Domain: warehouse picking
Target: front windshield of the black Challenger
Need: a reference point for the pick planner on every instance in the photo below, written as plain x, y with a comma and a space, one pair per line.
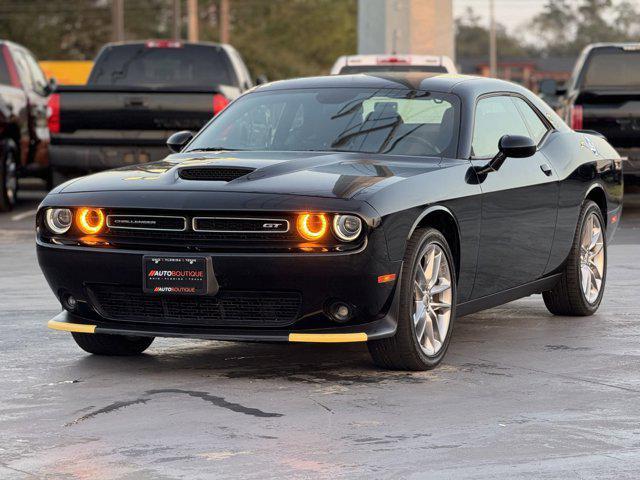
401, 122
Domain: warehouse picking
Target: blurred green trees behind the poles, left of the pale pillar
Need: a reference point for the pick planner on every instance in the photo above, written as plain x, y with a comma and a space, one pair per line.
280, 38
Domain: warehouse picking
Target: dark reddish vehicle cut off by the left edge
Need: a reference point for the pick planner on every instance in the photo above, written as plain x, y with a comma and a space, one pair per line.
24, 137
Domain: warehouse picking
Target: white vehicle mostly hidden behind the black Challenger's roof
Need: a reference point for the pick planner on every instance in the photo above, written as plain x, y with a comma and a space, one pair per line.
393, 63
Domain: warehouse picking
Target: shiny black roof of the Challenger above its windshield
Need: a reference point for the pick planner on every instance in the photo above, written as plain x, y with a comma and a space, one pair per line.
434, 82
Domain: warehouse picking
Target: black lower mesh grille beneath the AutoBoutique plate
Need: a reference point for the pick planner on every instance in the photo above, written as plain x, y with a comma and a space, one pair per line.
227, 309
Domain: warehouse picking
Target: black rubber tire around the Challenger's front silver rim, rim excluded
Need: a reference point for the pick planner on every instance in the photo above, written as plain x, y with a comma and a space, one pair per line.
402, 351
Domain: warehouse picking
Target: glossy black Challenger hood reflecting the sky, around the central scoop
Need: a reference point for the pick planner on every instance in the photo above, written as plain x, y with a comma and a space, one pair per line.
334, 175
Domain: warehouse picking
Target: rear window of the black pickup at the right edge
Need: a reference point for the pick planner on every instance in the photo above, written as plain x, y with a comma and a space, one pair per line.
612, 68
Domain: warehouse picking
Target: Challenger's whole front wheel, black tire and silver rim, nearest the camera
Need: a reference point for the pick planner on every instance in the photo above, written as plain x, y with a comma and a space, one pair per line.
427, 306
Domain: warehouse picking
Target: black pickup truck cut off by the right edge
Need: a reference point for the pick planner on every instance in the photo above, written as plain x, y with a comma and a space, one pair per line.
603, 95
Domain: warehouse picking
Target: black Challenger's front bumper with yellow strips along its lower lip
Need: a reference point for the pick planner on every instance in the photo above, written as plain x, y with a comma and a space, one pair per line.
319, 279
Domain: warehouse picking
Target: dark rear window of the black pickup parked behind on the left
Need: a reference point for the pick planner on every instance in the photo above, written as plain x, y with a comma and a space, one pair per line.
182, 66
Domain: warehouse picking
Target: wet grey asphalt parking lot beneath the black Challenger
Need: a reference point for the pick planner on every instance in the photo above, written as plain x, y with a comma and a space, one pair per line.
521, 394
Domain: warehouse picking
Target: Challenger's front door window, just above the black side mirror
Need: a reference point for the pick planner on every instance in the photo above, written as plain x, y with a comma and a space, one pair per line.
495, 117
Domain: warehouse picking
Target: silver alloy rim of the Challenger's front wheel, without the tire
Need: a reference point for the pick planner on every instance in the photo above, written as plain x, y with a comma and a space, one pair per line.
432, 300
